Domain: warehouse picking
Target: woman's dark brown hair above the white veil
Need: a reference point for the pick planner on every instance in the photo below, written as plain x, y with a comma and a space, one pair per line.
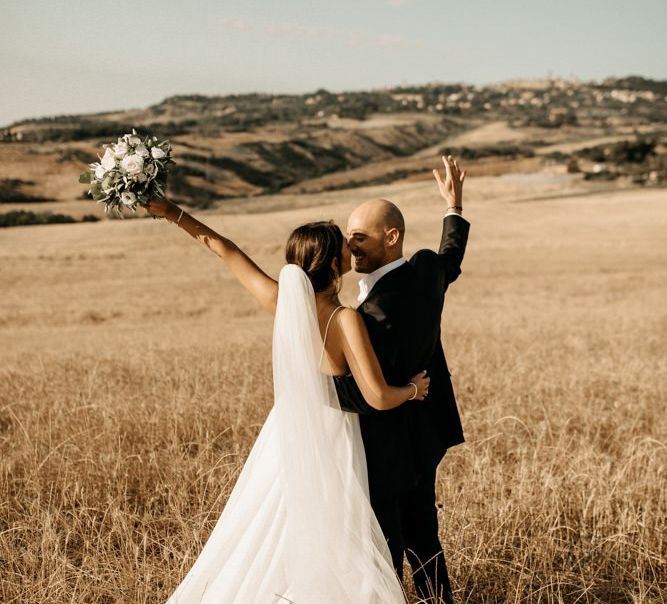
314, 247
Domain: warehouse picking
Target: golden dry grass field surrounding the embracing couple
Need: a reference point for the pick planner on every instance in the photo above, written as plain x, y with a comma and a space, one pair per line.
135, 374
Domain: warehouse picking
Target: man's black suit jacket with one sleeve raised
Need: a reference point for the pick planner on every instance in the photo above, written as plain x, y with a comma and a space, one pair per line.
402, 314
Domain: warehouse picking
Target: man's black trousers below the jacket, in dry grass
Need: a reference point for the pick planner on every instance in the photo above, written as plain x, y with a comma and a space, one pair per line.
409, 522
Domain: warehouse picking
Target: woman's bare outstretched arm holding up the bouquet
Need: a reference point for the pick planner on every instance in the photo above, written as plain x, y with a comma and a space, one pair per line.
253, 278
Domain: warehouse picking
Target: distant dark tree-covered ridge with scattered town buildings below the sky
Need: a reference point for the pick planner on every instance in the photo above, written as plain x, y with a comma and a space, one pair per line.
542, 103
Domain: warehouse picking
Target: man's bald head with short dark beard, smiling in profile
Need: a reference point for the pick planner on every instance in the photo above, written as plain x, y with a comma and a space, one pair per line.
375, 232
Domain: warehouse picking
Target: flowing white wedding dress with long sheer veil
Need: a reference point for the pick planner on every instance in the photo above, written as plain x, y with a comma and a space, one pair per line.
298, 526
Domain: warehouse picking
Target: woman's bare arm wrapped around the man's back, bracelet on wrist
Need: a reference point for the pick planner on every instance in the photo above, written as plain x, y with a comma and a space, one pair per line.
366, 370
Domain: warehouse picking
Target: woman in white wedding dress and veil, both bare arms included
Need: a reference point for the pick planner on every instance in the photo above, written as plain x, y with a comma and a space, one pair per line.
298, 526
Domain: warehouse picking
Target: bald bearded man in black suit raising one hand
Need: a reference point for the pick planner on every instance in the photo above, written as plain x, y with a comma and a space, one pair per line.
401, 303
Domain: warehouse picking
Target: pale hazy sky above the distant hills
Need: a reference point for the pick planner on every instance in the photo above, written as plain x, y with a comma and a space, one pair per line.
76, 56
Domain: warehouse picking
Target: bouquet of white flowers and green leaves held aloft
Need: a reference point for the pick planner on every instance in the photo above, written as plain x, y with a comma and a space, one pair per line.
131, 171
